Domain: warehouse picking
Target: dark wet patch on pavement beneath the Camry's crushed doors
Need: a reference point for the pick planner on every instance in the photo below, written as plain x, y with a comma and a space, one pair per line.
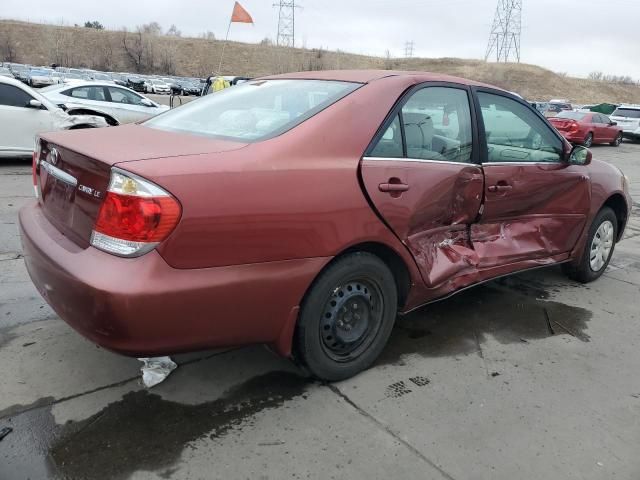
511, 310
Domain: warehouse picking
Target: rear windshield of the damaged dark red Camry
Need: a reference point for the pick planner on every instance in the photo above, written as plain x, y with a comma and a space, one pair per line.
255, 110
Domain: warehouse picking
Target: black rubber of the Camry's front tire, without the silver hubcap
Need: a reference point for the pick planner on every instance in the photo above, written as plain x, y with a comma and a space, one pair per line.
584, 272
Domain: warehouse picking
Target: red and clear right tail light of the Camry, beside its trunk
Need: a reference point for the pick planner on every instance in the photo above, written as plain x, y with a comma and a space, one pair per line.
135, 216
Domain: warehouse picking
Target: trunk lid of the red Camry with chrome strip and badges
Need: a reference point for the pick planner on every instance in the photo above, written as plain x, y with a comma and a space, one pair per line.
74, 169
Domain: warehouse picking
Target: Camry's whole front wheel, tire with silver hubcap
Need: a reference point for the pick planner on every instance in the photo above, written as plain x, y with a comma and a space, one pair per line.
601, 242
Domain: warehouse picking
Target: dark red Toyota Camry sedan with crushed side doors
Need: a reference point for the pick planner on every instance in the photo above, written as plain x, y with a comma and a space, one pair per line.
305, 211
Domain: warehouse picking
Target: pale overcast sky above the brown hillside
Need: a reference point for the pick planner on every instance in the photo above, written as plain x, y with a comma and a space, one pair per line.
574, 36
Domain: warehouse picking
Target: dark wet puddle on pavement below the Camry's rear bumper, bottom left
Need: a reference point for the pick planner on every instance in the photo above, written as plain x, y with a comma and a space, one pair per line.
142, 431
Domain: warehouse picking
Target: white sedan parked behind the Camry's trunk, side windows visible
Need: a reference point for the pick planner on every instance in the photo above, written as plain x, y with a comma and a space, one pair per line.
116, 104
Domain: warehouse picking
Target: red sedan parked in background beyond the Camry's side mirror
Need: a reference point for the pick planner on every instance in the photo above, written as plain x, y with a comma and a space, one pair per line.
587, 128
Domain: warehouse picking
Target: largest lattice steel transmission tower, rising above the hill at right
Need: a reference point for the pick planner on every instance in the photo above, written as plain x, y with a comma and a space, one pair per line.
504, 40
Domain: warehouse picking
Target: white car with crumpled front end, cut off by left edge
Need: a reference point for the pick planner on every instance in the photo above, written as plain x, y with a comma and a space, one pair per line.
24, 113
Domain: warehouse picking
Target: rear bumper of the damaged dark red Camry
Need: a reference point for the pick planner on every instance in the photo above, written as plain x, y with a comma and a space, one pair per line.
144, 307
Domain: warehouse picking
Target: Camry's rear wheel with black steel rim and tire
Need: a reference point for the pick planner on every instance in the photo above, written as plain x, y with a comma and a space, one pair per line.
346, 317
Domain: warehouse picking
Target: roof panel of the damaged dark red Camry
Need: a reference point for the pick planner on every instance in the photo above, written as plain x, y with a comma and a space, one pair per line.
367, 76
